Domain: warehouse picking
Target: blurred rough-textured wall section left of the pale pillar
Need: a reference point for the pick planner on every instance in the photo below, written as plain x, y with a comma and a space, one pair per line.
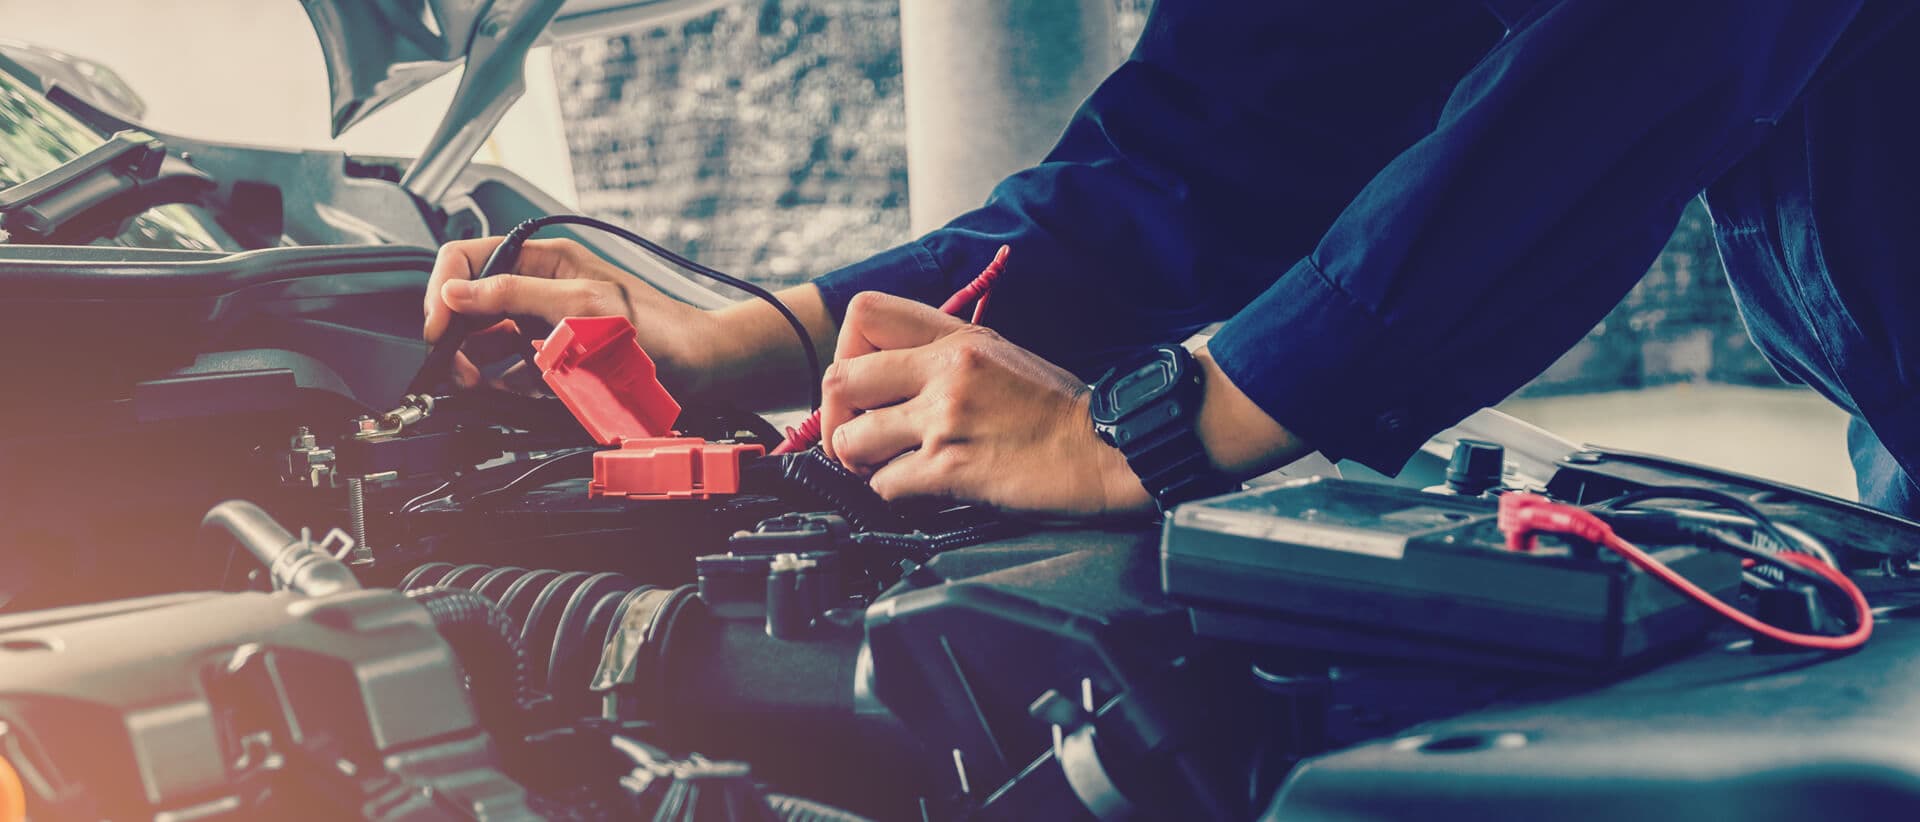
765, 141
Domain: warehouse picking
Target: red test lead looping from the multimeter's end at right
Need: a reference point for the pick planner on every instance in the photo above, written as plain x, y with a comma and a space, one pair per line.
1525, 516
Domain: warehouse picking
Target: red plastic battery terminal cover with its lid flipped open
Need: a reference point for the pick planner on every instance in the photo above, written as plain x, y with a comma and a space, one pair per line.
612, 387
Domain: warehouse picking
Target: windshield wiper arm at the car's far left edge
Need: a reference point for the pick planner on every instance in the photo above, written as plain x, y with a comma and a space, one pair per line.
93, 195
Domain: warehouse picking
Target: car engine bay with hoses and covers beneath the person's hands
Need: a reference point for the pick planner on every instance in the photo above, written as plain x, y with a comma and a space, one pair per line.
241, 581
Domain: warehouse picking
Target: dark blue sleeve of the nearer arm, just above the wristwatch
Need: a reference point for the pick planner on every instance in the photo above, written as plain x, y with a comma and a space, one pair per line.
1495, 243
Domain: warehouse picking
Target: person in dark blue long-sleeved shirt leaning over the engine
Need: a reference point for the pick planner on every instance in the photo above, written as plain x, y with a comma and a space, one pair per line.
1401, 210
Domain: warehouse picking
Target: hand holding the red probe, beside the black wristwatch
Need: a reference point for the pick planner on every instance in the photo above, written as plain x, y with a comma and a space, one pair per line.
930, 406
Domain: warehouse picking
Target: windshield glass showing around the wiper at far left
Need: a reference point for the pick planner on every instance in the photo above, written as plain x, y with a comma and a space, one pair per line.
36, 137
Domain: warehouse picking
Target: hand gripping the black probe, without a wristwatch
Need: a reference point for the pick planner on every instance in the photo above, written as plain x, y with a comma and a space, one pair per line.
558, 279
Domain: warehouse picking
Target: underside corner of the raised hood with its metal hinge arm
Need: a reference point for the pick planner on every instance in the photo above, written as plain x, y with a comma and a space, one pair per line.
381, 51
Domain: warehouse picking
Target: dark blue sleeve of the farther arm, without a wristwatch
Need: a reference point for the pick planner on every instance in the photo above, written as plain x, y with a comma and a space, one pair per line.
1230, 141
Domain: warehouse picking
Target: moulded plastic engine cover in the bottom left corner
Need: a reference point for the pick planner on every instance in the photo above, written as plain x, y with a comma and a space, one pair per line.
245, 704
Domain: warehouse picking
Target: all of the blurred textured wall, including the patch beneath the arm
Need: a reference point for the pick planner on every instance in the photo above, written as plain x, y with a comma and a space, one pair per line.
769, 141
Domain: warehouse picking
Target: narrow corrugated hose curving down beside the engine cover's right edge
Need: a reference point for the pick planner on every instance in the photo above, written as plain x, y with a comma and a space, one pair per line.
489, 648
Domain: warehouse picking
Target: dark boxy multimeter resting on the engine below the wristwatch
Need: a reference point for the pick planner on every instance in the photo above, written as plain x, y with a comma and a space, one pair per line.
1385, 571
